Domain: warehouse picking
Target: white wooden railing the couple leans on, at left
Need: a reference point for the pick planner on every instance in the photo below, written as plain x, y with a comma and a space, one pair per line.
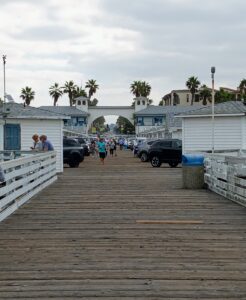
24, 178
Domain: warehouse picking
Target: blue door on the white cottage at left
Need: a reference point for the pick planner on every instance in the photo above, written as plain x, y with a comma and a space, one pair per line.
12, 137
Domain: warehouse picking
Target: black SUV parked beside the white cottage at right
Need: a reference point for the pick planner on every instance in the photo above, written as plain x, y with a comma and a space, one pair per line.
165, 151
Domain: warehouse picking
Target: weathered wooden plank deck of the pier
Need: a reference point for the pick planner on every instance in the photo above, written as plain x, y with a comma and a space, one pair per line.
123, 231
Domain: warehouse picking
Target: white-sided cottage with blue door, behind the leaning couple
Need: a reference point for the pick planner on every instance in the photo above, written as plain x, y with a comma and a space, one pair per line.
18, 124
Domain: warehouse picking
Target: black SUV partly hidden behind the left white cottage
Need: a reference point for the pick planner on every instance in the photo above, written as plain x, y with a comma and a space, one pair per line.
73, 152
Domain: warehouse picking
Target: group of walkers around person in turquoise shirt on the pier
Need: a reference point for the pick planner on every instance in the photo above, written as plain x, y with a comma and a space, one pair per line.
102, 147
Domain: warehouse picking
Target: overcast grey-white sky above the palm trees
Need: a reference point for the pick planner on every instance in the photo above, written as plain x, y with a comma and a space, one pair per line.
118, 41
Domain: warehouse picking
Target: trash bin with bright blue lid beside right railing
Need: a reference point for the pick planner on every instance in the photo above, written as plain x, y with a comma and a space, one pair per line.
193, 171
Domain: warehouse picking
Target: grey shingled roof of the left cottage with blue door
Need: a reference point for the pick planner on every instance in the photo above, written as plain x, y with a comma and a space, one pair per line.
19, 111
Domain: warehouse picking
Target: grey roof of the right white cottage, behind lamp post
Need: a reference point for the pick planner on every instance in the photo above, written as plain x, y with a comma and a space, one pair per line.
225, 108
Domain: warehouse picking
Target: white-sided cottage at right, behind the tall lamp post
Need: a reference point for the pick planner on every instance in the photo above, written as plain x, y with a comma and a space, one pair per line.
229, 128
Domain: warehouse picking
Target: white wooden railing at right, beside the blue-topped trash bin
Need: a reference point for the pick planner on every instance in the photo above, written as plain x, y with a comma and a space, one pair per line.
226, 175
